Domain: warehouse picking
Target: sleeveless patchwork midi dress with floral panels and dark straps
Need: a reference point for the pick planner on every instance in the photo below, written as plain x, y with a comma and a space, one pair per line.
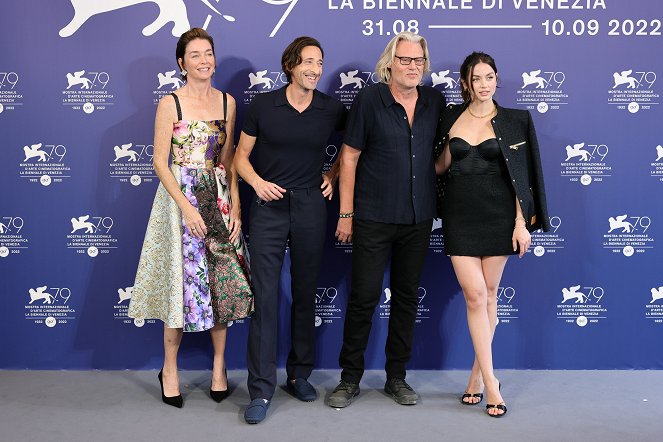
188, 282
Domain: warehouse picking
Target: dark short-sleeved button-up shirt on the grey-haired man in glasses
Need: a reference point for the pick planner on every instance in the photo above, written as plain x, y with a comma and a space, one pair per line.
395, 178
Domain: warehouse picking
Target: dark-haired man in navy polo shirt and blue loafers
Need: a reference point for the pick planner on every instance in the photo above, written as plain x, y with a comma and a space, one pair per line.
287, 129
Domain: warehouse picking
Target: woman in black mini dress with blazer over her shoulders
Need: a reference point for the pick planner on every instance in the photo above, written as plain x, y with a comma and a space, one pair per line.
493, 197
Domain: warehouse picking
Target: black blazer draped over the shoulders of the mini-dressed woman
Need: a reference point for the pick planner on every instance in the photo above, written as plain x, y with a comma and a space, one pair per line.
516, 137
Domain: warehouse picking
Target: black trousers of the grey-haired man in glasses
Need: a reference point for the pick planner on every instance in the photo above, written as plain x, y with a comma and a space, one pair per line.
372, 244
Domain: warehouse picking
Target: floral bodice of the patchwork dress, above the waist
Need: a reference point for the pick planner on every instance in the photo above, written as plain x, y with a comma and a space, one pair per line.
197, 143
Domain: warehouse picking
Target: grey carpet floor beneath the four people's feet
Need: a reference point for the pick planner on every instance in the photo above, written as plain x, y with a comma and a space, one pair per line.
125, 406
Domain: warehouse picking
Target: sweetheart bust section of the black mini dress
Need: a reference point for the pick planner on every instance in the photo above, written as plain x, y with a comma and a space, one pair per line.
483, 159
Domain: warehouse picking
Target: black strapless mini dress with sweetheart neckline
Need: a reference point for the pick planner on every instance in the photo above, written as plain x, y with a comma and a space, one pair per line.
479, 201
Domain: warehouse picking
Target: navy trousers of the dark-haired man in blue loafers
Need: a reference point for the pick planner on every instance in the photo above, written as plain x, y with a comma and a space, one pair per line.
301, 217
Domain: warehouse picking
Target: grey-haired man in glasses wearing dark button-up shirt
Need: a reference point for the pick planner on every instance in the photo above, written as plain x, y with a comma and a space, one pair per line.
387, 192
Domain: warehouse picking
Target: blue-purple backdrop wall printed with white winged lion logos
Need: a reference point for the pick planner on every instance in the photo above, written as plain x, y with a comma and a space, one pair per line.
79, 85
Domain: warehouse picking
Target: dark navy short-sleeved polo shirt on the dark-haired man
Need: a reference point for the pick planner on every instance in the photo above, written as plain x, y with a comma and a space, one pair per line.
290, 148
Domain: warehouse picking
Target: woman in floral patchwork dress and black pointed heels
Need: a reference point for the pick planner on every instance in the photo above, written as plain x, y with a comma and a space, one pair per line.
193, 272
